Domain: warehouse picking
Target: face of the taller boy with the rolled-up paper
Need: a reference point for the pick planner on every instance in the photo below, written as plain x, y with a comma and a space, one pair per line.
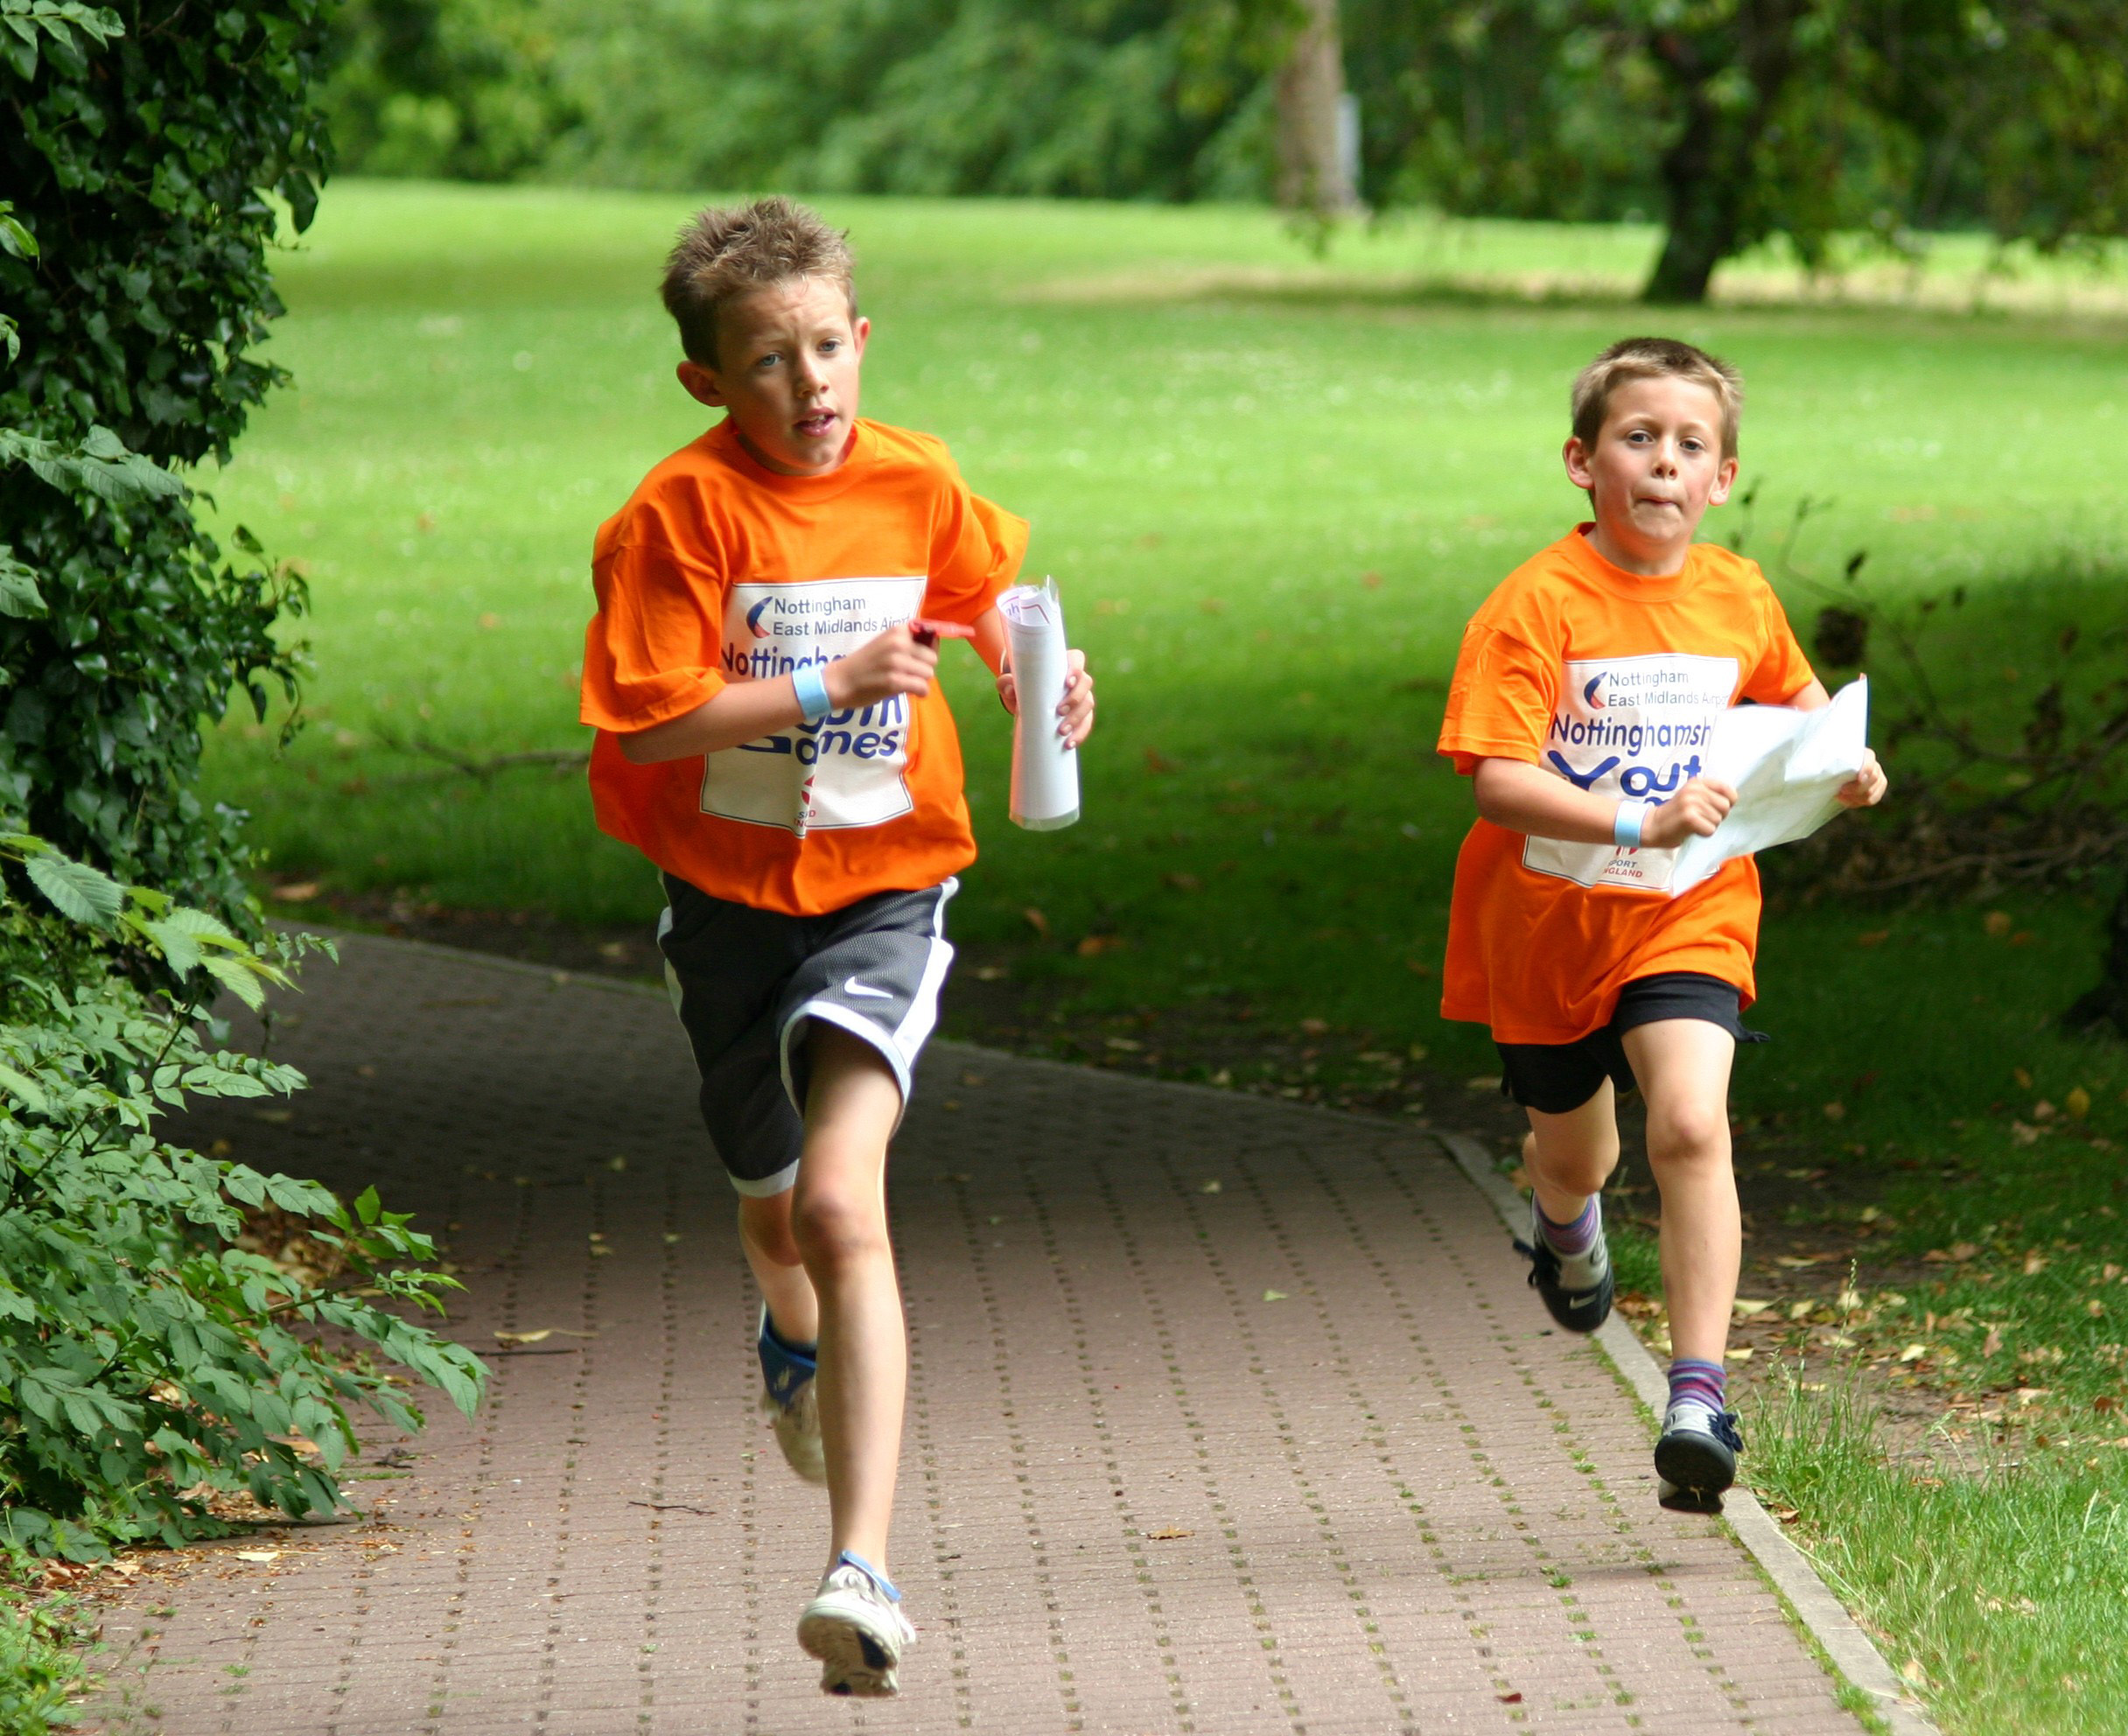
788, 373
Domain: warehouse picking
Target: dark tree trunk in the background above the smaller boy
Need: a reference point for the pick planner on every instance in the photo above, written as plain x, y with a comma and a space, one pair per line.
1708, 173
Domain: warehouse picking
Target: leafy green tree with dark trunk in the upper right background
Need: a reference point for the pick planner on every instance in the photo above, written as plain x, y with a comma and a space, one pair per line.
1746, 120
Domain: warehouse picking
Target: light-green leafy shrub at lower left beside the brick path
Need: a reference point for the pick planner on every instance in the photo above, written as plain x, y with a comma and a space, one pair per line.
146, 1358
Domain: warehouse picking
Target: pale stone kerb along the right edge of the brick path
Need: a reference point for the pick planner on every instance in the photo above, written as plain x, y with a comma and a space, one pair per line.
1821, 1614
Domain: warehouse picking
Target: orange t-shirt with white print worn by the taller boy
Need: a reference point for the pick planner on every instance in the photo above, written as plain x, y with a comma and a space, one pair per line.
720, 569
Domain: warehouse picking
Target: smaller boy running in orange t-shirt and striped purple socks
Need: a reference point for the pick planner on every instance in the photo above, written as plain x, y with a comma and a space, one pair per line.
1584, 692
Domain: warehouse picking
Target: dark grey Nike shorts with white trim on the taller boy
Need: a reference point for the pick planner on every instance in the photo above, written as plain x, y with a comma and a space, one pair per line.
748, 986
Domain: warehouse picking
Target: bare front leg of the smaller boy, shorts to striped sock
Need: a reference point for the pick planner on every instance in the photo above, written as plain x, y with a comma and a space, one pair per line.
1684, 1071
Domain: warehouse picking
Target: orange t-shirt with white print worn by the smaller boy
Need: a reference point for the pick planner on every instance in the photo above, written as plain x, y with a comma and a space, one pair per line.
1612, 682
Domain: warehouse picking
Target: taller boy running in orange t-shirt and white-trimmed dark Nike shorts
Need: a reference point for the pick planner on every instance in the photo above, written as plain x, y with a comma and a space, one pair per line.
763, 675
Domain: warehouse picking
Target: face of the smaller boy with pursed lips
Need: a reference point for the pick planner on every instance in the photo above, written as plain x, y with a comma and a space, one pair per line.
1657, 465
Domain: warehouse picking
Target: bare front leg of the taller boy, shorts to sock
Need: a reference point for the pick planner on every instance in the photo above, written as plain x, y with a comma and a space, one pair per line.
839, 1222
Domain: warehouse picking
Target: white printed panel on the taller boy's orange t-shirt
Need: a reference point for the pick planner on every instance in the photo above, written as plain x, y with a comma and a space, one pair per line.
850, 767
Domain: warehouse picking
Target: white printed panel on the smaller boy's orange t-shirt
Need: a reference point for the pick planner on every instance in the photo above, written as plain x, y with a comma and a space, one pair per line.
1629, 729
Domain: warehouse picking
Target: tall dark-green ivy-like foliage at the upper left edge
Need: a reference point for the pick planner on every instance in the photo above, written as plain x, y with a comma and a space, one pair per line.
139, 156
